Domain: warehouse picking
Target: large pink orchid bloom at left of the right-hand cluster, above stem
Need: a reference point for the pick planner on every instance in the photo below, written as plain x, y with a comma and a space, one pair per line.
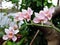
40, 17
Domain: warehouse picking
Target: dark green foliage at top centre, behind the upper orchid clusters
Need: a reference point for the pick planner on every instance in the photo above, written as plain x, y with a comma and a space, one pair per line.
36, 5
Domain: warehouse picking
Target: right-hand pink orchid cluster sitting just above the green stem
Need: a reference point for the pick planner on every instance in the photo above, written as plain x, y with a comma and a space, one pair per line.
44, 15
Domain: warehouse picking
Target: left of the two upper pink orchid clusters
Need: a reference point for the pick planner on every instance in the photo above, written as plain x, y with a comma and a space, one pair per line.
25, 14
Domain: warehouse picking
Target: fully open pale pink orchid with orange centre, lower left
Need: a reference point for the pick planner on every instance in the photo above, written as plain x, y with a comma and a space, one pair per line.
10, 34
